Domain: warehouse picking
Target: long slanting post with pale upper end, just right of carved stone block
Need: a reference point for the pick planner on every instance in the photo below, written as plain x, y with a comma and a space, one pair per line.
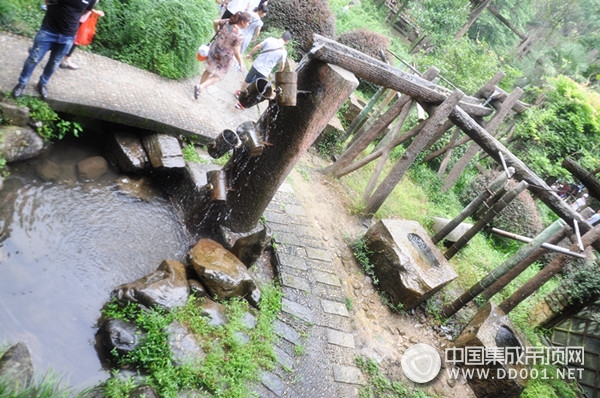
486, 281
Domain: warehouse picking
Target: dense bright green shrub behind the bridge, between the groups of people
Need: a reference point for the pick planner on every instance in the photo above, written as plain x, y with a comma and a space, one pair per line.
160, 36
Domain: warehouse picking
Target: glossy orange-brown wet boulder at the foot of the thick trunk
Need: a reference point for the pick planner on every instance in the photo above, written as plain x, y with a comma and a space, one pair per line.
223, 274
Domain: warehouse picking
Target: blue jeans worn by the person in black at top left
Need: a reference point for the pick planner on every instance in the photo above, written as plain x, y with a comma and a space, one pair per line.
44, 41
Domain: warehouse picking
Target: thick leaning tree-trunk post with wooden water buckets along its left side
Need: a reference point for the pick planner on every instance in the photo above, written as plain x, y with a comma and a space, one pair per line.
253, 181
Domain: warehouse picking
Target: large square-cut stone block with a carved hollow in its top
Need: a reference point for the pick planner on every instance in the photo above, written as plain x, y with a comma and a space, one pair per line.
408, 266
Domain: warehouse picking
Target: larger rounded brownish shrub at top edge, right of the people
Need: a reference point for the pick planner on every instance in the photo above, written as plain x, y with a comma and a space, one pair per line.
302, 19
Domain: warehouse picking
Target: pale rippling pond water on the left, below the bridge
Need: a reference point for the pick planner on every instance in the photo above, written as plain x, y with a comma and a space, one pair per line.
64, 246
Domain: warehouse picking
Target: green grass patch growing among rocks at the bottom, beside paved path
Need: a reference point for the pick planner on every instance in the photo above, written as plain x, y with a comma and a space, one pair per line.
230, 365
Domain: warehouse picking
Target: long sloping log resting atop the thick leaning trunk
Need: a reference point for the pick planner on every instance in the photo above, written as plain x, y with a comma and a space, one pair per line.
382, 74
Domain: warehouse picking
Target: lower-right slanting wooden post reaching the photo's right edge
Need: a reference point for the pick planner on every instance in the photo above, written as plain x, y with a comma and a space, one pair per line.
555, 266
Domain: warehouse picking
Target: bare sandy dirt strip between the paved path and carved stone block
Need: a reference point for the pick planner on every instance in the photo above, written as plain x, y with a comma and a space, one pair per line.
380, 334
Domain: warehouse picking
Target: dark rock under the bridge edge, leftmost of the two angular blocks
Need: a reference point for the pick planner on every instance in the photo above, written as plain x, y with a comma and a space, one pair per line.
127, 152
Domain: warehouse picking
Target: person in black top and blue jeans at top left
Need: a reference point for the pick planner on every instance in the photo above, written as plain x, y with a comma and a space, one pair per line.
57, 33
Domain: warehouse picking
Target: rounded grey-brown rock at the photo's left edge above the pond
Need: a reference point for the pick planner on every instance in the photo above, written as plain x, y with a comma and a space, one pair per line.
19, 143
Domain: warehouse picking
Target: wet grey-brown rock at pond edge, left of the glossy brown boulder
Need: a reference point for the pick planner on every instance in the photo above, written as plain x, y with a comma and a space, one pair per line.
167, 287
